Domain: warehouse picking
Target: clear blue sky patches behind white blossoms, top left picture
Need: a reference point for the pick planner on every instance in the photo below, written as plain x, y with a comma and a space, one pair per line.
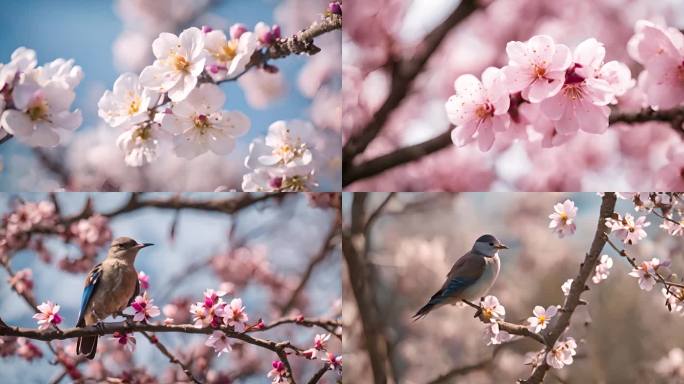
86, 30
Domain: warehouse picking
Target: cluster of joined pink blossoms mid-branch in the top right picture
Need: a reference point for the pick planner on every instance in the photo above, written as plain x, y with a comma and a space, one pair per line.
544, 83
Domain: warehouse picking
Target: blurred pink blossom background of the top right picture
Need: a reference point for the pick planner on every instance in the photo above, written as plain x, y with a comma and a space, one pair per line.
383, 38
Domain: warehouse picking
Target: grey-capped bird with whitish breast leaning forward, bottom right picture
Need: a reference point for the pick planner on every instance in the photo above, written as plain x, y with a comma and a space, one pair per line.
470, 278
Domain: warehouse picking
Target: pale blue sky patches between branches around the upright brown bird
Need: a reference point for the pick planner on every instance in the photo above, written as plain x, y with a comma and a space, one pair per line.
292, 233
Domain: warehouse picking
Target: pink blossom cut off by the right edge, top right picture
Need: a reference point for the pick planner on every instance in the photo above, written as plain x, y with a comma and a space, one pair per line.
661, 51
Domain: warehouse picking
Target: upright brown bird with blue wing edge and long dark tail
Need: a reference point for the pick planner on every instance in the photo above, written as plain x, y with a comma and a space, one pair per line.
109, 288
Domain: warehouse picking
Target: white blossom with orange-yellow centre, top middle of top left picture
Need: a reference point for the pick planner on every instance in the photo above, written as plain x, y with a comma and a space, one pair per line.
179, 61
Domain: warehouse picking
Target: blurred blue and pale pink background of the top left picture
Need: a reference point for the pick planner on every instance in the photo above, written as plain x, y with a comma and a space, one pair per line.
107, 38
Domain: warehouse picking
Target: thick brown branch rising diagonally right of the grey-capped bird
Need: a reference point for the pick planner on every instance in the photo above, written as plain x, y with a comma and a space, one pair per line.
578, 286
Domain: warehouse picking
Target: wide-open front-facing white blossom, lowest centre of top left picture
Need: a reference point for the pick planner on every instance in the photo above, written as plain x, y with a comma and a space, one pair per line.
200, 125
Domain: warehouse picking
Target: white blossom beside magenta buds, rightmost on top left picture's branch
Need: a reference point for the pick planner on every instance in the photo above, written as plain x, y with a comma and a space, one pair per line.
227, 58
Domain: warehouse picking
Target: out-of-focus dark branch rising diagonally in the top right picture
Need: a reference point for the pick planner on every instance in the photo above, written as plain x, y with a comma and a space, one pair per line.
403, 75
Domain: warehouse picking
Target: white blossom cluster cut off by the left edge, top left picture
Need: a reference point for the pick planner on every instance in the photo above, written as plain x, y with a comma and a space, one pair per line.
35, 101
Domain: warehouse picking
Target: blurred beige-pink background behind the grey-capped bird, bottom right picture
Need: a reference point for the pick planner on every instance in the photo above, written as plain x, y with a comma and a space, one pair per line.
624, 334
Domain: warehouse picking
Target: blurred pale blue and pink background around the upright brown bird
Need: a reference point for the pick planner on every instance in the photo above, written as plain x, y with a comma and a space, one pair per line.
279, 253
